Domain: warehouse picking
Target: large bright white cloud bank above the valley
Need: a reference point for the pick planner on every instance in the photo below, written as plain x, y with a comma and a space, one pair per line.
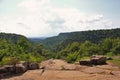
40, 18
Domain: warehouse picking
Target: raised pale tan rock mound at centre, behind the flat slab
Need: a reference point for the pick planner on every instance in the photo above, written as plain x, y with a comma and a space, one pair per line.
57, 65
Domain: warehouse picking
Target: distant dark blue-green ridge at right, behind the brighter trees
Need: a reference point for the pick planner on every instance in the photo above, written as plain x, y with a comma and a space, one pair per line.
95, 36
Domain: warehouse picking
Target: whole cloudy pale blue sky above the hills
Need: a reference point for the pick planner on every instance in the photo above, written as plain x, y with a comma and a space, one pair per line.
45, 18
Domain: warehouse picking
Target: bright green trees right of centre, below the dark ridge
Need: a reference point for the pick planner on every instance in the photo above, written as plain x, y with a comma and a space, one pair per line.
76, 51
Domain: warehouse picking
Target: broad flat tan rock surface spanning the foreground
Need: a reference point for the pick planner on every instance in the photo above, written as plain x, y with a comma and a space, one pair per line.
98, 72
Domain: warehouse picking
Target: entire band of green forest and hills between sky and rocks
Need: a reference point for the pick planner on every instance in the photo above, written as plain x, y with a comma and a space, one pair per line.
72, 46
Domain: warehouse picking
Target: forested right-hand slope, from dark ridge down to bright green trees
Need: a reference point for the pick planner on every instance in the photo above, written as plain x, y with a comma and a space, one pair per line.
74, 46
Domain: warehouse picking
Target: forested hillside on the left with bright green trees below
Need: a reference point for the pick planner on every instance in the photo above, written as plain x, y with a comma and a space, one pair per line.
13, 46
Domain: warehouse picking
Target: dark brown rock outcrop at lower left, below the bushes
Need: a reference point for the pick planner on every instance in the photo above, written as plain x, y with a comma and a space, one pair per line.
17, 69
